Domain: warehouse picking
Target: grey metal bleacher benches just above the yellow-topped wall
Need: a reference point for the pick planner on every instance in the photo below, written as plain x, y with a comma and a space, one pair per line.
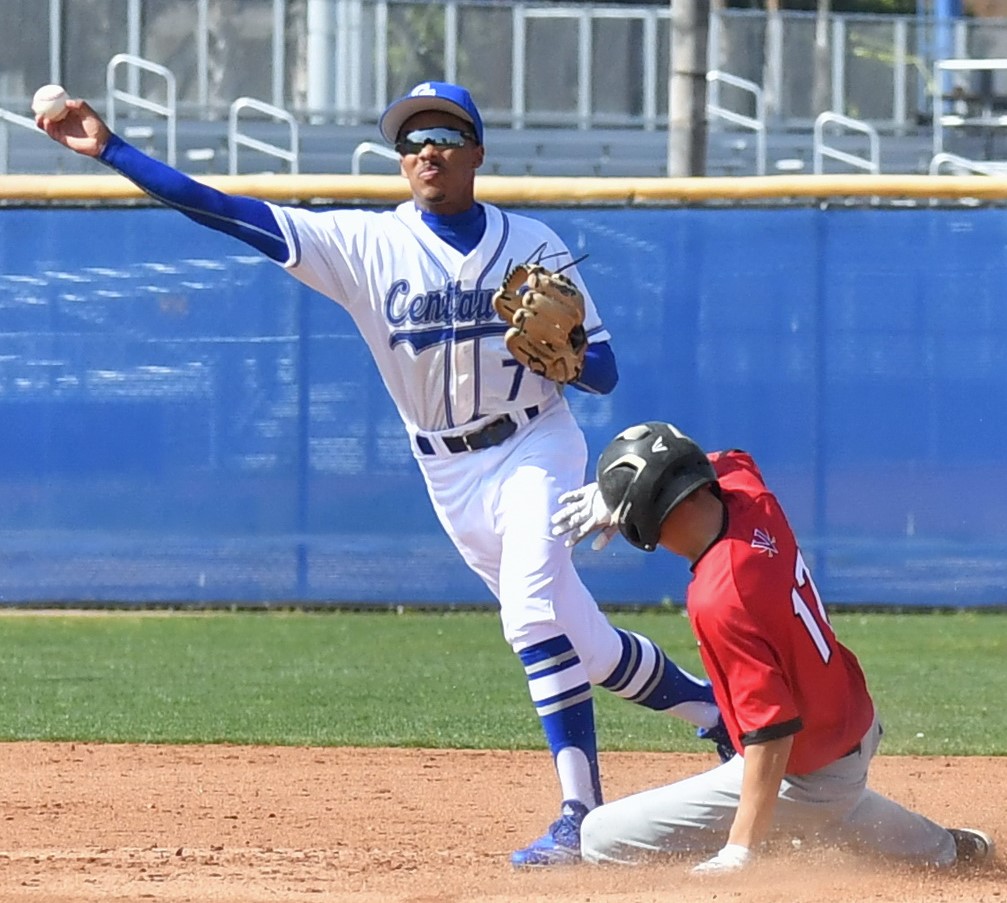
329, 147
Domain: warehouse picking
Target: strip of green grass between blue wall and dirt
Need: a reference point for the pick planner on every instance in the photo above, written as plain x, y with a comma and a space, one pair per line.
440, 680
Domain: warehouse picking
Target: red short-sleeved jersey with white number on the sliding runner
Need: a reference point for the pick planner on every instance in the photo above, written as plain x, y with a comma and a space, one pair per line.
765, 638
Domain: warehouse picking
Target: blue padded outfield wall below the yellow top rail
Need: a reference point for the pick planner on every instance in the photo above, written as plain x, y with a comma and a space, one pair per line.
183, 422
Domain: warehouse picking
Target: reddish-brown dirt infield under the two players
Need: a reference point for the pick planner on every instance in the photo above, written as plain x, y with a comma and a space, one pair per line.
96, 823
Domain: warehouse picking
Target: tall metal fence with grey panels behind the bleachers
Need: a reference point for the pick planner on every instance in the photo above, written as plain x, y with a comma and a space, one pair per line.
529, 64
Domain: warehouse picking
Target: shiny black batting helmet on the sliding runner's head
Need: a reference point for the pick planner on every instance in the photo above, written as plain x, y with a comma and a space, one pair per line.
645, 473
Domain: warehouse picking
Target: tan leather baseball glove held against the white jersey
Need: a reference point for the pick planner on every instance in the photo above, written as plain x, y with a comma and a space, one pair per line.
546, 314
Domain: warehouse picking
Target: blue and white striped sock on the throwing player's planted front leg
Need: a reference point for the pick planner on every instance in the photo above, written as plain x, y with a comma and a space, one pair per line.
561, 692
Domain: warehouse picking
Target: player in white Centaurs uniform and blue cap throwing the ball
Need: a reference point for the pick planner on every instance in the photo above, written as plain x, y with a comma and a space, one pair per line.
497, 444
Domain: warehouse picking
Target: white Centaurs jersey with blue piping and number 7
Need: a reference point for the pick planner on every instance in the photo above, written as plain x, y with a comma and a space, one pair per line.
425, 310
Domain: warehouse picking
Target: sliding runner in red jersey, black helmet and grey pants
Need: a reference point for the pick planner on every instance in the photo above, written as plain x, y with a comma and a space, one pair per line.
794, 699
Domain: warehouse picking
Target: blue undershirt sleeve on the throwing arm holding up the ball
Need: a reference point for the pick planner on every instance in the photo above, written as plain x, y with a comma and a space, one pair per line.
247, 219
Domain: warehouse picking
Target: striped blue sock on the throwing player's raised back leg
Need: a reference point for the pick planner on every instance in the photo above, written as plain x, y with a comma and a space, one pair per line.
647, 676
